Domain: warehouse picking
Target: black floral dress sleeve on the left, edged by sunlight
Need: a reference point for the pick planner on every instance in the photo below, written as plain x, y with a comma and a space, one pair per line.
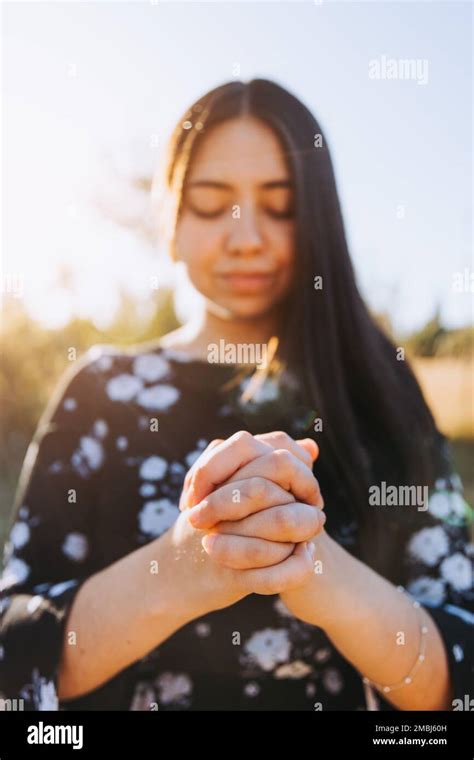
49, 552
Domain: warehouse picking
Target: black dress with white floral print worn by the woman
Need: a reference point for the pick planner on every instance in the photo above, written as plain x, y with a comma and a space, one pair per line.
103, 476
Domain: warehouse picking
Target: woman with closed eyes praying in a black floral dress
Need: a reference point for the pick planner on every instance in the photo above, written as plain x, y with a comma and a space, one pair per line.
248, 598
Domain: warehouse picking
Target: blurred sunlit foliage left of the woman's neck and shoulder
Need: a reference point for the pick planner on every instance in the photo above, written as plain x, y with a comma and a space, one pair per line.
33, 359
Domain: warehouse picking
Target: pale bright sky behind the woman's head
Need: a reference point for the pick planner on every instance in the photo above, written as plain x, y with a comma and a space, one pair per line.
83, 80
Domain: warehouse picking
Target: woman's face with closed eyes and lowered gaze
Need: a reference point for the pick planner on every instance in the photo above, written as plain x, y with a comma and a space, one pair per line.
235, 231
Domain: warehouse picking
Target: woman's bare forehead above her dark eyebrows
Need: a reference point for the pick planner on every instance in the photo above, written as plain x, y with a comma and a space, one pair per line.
244, 148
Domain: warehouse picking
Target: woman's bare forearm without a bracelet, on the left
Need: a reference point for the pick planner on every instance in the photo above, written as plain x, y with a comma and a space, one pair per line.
119, 615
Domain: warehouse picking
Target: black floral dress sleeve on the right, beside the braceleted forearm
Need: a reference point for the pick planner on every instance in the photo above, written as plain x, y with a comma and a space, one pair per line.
437, 570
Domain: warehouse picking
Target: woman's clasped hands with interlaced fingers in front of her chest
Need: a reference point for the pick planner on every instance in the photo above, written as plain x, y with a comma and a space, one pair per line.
257, 502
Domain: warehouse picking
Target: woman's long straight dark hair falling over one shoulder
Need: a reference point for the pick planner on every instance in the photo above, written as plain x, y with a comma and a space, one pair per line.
376, 424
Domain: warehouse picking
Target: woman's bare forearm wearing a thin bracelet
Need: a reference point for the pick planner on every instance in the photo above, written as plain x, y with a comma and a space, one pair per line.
375, 627
